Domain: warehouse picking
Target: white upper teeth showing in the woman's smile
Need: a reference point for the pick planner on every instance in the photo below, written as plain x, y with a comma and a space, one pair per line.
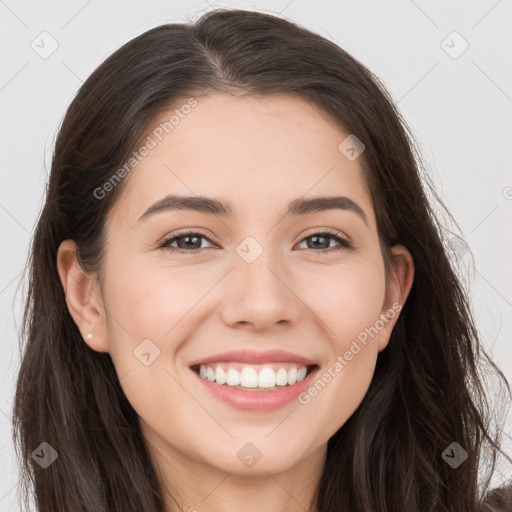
250, 378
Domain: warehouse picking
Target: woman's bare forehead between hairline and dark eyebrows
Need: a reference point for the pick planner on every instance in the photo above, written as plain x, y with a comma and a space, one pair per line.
252, 151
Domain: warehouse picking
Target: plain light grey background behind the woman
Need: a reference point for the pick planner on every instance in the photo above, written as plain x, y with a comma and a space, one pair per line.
459, 109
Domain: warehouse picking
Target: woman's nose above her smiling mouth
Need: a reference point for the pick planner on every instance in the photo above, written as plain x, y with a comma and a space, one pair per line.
260, 294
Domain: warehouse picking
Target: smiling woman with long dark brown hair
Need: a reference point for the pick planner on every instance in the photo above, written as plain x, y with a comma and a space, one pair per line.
262, 371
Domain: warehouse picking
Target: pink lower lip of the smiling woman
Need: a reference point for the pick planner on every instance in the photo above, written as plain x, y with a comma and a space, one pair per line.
257, 400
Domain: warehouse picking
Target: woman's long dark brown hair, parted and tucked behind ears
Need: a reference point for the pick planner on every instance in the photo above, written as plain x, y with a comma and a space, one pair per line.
428, 389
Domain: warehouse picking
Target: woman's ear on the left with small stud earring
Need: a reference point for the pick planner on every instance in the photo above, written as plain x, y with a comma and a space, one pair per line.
83, 297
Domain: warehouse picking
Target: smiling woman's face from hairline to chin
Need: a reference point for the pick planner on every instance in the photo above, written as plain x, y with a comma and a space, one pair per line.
255, 279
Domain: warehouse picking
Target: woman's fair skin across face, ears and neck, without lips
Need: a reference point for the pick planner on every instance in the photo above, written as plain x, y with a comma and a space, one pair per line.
249, 152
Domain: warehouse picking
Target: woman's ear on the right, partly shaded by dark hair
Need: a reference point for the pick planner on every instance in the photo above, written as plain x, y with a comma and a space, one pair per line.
400, 283
